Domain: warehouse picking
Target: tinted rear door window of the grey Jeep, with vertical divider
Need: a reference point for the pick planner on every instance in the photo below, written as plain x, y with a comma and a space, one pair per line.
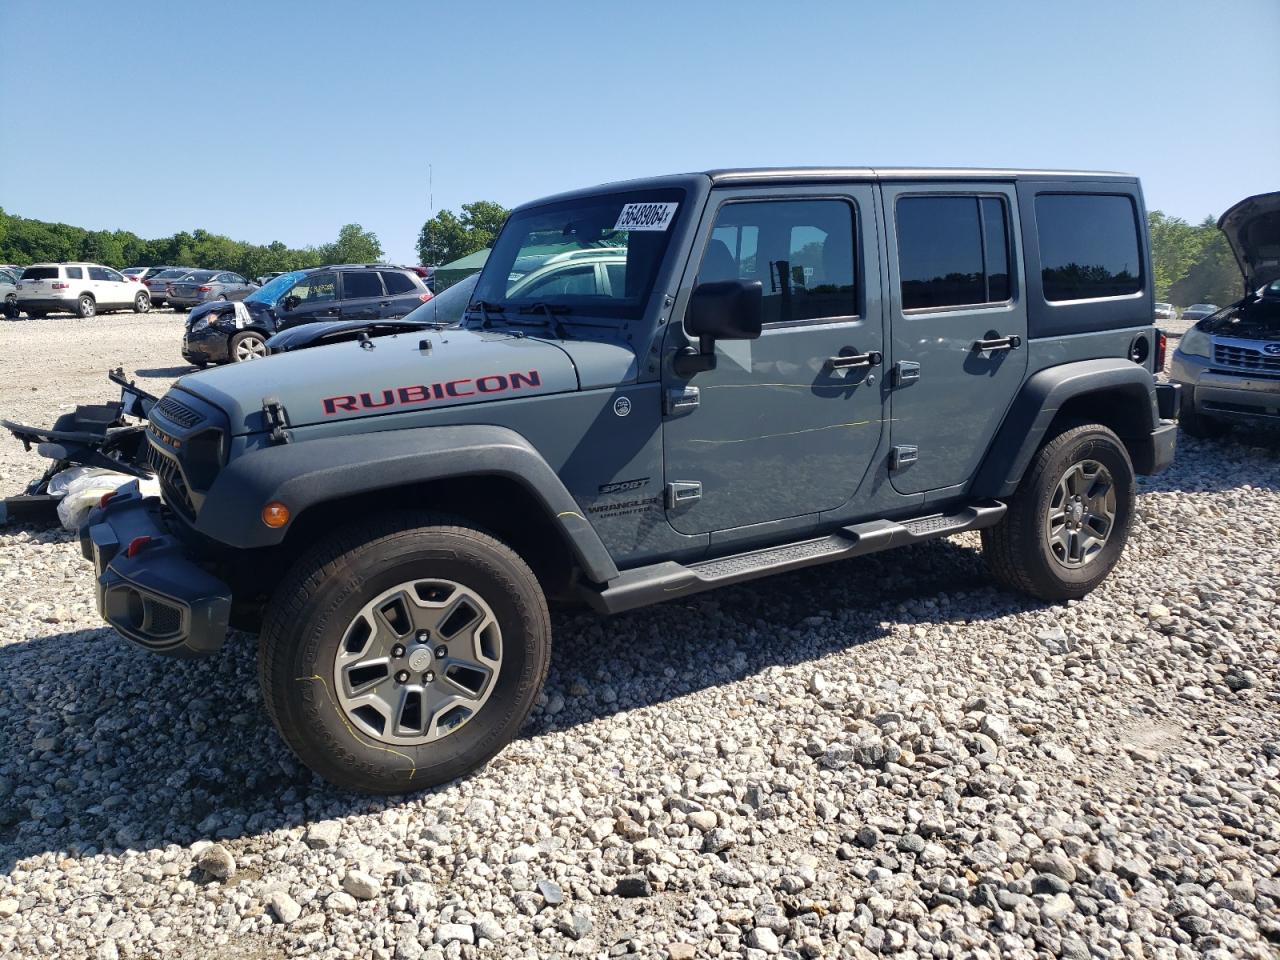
953, 252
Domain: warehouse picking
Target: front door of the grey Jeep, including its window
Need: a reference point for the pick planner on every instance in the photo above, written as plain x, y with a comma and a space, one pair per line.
785, 426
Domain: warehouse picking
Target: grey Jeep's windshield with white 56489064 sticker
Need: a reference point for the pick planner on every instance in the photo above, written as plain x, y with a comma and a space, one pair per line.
591, 257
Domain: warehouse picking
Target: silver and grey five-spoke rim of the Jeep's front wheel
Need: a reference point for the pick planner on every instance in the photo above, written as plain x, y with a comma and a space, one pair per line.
418, 662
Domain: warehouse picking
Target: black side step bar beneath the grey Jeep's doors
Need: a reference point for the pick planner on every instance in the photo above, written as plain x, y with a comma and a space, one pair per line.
669, 580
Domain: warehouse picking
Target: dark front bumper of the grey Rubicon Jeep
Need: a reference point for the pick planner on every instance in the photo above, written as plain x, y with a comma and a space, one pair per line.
159, 598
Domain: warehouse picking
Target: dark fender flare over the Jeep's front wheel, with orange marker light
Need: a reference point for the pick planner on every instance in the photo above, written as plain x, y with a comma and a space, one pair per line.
310, 473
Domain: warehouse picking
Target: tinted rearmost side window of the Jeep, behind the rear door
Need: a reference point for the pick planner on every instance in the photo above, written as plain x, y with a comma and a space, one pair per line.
1089, 246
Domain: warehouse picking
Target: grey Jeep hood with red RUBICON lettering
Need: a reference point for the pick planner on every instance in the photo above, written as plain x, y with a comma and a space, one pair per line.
394, 374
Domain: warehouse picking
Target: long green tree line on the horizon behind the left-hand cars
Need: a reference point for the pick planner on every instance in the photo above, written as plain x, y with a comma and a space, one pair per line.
25, 241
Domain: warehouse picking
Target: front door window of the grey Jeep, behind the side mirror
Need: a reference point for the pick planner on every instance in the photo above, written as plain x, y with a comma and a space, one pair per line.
802, 252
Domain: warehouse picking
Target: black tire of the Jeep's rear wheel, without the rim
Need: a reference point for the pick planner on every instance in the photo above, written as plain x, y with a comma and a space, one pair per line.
1018, 550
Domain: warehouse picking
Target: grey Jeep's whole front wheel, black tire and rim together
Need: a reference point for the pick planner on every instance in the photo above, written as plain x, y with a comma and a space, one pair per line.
404, 653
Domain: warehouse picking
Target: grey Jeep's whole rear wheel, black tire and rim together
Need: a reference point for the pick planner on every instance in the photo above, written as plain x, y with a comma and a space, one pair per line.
1069, 520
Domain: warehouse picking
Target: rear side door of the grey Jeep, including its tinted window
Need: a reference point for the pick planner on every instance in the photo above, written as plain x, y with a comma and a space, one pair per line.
959, 321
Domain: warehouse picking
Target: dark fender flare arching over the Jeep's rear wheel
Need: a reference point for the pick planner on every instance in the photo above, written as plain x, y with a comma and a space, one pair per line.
1040, 401
